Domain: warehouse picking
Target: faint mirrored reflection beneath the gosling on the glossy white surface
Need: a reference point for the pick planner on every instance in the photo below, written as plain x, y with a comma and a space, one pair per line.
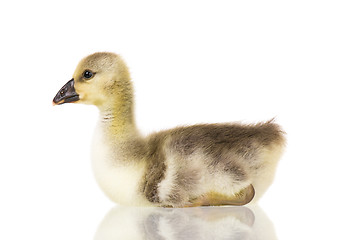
226, 223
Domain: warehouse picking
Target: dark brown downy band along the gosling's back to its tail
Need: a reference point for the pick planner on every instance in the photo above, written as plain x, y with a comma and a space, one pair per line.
214, 138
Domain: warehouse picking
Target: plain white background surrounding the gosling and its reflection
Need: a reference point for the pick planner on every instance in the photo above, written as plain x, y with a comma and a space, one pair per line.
191, 62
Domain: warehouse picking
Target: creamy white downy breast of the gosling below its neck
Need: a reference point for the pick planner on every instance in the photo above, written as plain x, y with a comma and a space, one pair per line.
120, 182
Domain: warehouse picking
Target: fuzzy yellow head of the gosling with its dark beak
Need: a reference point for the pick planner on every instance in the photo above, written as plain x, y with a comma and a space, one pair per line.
94, 80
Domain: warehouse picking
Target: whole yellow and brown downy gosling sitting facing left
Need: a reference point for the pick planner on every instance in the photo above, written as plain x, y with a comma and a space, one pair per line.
199, 165
